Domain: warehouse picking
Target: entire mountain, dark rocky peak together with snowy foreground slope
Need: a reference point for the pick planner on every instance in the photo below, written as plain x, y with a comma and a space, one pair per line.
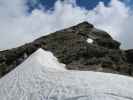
77, 63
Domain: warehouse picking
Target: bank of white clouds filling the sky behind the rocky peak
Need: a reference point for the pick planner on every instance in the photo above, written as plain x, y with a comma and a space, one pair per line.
17, 28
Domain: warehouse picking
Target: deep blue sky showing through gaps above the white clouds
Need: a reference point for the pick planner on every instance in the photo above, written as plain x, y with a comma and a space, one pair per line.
88, 4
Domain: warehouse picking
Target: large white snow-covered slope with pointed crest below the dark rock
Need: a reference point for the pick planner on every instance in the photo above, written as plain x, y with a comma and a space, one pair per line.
42, 77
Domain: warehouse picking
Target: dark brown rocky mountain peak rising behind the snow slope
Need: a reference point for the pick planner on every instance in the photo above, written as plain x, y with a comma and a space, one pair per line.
81, 47
